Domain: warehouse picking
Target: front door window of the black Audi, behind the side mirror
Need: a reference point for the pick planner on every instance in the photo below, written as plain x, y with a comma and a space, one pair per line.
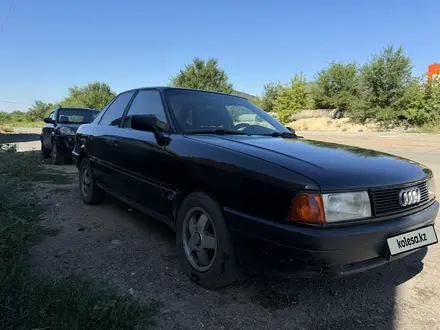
147, 102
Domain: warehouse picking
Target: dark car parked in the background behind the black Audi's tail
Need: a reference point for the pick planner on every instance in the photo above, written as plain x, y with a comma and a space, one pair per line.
58, 134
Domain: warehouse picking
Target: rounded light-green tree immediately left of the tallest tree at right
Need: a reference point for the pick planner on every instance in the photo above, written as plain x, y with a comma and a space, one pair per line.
336, 86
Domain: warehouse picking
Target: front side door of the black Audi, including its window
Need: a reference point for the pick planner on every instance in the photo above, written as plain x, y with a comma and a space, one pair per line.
141, 159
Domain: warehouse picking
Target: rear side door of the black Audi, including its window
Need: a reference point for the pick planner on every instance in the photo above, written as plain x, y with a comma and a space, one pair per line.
100, 144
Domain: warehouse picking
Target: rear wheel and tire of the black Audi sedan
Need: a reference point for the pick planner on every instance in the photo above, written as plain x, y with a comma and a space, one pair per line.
91, 194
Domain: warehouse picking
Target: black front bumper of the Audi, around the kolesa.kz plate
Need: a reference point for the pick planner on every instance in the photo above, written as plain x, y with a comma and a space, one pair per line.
320, 252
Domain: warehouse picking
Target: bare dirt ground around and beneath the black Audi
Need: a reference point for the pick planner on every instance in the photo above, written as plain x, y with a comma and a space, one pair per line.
131, 252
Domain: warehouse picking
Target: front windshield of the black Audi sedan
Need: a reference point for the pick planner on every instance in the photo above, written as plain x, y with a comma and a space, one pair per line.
199, 112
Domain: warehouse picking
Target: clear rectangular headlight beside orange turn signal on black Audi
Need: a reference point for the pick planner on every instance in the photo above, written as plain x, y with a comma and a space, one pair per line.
346, 206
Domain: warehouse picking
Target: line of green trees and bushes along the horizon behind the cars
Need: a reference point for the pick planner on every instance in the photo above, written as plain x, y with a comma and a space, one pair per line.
381, 92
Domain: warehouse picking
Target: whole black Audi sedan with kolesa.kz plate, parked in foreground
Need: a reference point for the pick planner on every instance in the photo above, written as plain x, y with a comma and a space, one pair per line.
246, 194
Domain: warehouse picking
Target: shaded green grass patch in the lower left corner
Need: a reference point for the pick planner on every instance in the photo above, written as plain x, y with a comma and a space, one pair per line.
27, 302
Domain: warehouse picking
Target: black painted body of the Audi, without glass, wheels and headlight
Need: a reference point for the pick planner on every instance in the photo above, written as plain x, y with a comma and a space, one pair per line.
255, 179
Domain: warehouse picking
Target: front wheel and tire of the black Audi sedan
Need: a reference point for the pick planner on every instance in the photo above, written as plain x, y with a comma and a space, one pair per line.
223, 267
